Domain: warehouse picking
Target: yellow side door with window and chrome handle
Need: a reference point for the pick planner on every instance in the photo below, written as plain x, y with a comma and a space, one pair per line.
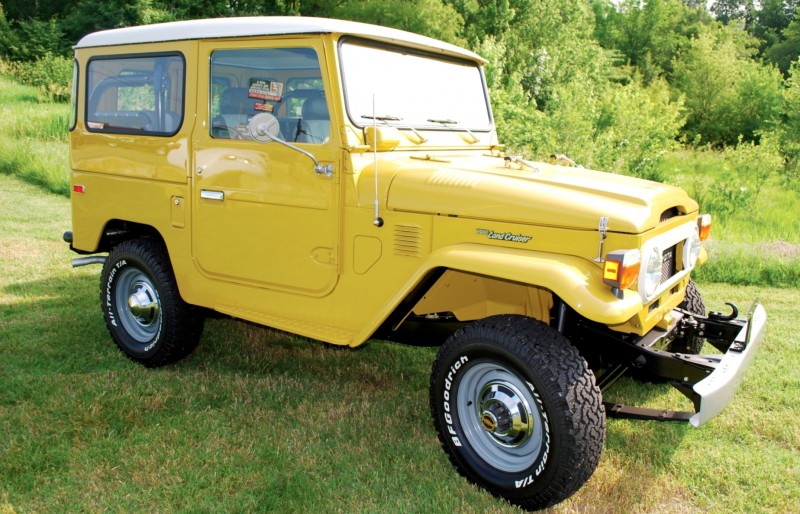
261, 215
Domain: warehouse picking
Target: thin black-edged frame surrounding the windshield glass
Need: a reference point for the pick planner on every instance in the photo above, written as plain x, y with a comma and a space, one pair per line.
362, 120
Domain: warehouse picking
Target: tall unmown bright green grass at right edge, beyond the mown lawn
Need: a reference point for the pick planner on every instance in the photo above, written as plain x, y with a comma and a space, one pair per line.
756, 234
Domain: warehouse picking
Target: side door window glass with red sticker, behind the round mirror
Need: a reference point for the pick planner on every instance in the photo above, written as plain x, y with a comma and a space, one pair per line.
283, 81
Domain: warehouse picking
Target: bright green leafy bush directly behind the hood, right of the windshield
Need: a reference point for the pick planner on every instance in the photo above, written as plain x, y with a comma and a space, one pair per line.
618, 128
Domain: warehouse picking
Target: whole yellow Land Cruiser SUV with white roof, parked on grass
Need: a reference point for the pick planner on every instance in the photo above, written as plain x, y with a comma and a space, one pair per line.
344, 181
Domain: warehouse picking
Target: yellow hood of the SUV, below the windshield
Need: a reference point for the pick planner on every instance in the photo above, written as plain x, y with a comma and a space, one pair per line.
549, 195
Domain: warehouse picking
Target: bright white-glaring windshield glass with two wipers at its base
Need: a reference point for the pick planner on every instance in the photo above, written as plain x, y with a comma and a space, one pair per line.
412, 89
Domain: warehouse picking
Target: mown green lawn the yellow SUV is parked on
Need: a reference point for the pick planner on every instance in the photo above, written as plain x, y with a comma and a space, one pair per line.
256, 420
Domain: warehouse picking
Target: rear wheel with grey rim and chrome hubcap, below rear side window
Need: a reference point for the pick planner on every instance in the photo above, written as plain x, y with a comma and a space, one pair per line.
143, 310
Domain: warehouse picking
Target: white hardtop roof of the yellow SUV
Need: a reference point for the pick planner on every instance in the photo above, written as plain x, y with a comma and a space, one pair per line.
265, 26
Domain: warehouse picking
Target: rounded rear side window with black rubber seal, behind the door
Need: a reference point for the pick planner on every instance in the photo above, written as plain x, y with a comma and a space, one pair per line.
140, 94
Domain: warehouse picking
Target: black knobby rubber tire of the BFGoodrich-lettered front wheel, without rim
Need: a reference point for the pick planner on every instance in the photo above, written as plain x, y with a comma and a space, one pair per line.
566, 382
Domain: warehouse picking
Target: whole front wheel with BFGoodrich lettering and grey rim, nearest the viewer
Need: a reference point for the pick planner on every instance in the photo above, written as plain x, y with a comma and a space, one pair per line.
517, 410
